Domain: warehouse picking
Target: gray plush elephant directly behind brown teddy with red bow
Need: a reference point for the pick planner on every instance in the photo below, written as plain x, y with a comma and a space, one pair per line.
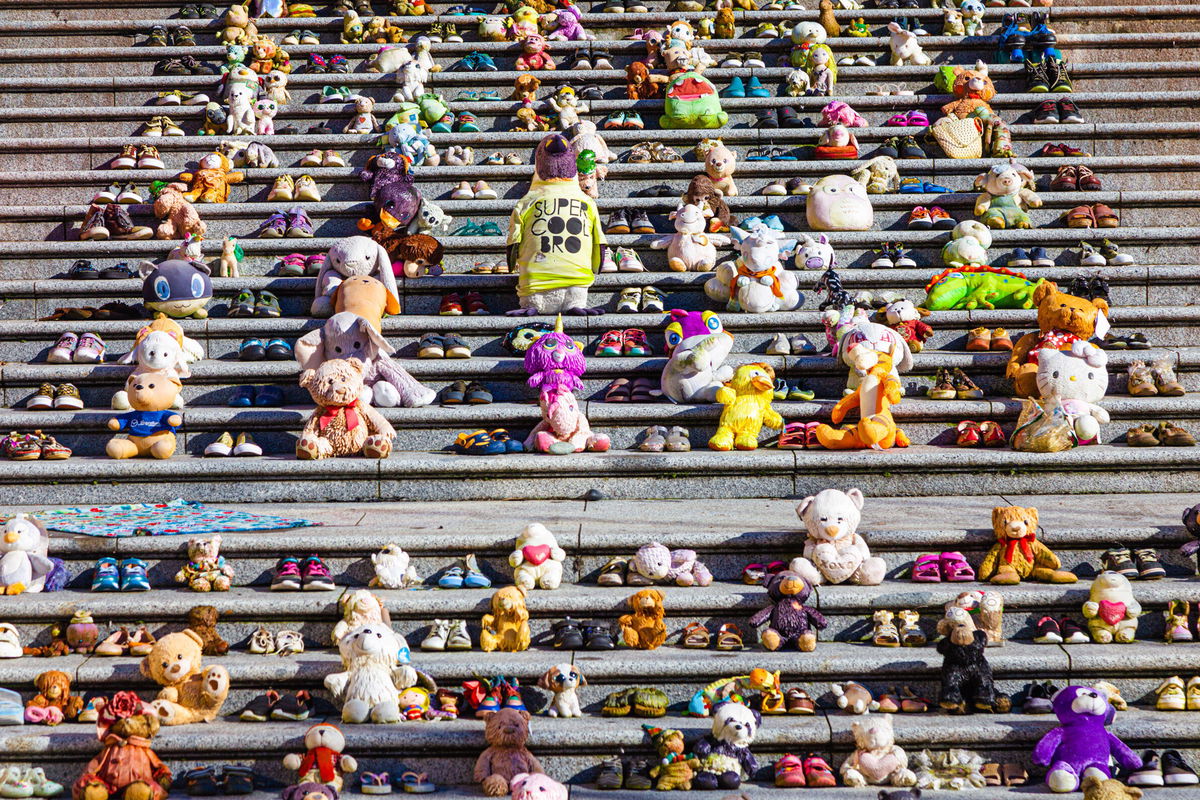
349, 336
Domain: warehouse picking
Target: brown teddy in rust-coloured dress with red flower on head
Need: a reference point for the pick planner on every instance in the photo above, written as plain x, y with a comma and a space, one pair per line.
127, 767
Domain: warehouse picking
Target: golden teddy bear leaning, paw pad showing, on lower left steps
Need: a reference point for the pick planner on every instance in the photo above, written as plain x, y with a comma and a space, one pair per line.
191, 693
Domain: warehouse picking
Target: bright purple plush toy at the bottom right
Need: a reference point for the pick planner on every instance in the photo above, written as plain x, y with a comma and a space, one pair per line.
1082, 745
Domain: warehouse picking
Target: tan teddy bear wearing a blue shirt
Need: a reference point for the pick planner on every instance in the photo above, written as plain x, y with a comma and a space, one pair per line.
152, 425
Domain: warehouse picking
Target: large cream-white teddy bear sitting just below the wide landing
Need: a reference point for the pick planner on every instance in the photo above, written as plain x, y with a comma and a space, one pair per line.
835, 552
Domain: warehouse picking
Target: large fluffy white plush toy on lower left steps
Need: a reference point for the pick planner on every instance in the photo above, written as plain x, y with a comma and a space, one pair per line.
373, 675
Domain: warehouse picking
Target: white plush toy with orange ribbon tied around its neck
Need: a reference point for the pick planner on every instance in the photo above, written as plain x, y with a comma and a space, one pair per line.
758, 281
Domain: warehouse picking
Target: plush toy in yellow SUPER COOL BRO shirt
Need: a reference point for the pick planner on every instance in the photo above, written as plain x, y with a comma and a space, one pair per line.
556, 243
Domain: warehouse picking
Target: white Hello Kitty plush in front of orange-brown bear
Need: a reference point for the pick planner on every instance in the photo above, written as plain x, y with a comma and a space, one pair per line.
1076, 382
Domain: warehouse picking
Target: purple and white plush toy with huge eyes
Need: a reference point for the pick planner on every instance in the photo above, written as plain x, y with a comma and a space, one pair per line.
697, 346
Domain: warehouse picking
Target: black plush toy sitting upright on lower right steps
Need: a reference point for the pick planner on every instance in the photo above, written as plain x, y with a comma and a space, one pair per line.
967, 675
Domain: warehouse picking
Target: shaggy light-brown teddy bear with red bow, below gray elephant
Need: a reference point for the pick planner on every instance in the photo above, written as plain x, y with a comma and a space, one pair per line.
341, 425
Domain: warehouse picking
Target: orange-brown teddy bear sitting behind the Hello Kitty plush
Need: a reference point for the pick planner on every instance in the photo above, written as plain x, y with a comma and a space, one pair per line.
1063, 321
